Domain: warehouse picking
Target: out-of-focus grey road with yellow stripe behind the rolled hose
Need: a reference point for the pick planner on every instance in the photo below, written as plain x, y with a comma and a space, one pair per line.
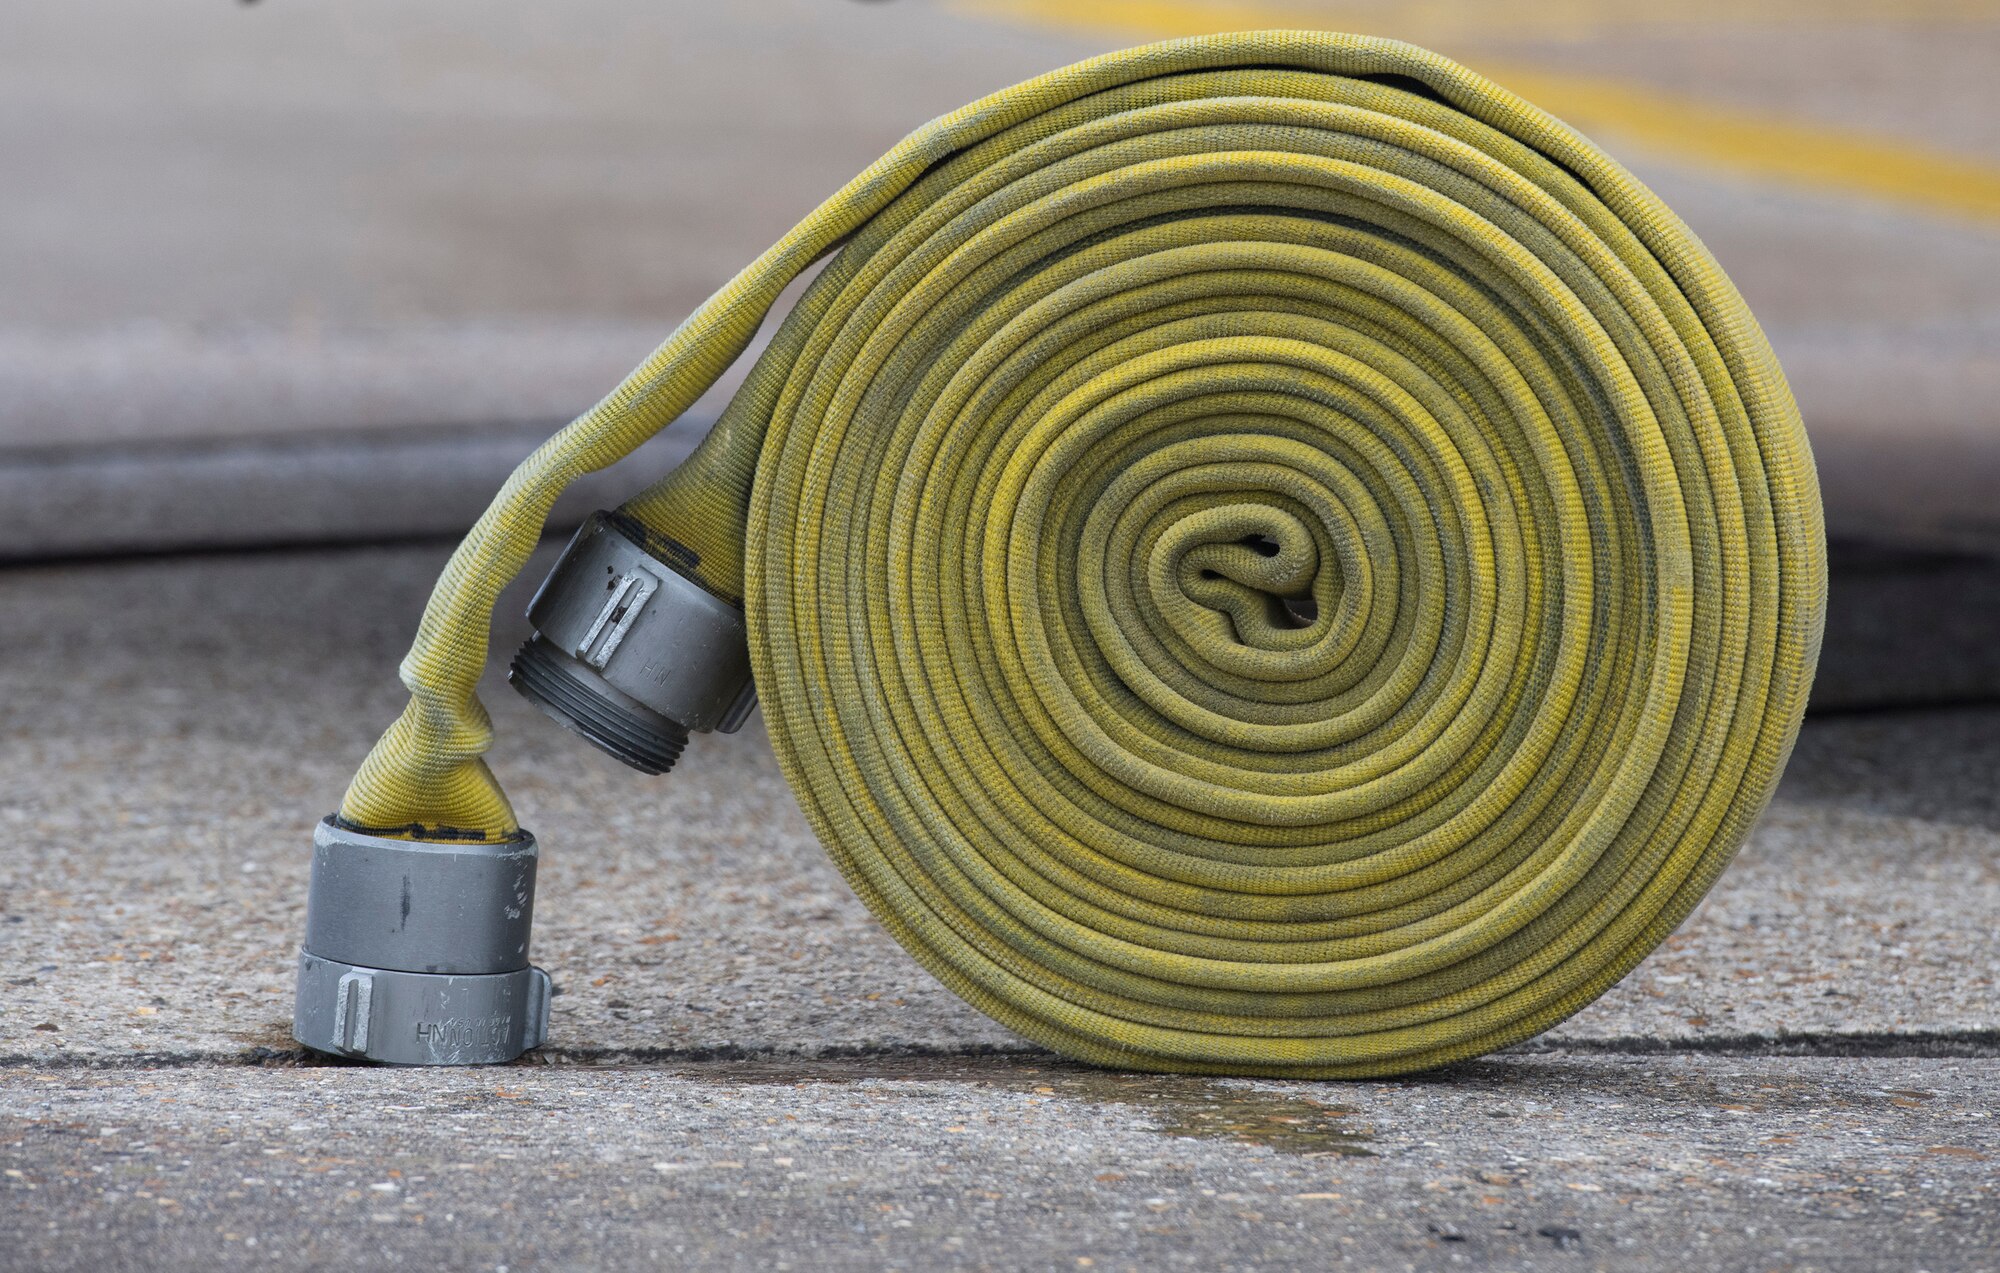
255, 255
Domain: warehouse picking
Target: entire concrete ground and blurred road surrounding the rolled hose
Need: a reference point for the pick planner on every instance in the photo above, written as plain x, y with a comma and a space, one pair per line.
289, 287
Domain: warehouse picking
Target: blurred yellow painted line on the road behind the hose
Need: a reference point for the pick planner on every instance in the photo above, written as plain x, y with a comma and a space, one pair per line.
1667, 125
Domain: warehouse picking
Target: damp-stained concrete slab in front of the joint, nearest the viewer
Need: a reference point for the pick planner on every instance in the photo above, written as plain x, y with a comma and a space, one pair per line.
1517, 1164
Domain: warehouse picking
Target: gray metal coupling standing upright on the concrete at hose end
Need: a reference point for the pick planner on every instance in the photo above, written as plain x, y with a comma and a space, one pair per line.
417, 952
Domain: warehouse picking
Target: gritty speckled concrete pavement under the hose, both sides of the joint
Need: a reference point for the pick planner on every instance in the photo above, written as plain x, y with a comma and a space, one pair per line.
749, 1074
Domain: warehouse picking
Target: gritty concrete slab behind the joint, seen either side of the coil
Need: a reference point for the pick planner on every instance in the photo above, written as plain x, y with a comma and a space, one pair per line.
171, 730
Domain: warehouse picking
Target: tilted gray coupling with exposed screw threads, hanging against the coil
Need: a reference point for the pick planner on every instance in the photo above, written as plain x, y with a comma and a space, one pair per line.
629, 652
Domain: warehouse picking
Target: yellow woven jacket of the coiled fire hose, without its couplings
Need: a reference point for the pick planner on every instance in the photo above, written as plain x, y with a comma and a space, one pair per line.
1263, 555
